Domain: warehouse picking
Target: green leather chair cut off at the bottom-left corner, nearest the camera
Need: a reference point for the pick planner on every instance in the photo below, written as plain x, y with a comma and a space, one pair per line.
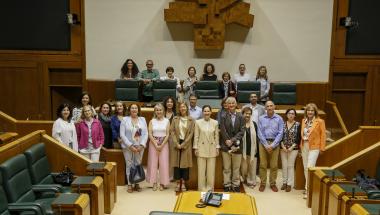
7, 209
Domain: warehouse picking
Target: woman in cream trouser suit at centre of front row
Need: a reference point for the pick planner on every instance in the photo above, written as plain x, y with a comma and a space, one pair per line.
206, 145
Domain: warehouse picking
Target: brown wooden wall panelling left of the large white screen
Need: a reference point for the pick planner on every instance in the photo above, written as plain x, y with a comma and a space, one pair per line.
26, 80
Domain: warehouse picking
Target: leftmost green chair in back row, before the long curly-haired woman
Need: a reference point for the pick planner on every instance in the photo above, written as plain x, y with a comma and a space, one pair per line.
127, 90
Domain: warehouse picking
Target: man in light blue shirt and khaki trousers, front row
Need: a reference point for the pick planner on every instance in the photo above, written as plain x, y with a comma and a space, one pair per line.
270, 134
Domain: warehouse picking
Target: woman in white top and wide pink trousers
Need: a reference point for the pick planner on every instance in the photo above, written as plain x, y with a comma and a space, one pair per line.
158, 155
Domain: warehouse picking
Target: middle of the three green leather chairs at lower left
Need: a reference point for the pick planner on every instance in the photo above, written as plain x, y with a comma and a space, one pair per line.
18, 186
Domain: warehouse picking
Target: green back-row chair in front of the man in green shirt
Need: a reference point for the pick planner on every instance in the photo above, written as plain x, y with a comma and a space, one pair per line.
164, 88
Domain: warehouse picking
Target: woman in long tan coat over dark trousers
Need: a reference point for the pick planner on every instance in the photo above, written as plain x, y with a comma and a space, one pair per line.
182, 131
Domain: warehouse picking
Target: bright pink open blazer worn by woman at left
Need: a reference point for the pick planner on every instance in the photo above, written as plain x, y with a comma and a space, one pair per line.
96, 134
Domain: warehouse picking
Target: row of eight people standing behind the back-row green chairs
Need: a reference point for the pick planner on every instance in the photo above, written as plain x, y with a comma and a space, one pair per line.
227, 85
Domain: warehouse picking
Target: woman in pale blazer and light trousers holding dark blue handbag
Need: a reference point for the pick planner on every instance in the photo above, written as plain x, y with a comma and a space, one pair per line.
134, 133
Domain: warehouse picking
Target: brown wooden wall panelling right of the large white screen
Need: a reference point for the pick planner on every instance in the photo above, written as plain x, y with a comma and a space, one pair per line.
360, 73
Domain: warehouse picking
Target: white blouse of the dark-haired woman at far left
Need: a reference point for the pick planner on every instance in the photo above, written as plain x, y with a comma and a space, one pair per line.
65, 133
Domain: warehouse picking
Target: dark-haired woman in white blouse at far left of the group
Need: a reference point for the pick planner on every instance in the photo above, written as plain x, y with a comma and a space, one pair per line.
64, 129
